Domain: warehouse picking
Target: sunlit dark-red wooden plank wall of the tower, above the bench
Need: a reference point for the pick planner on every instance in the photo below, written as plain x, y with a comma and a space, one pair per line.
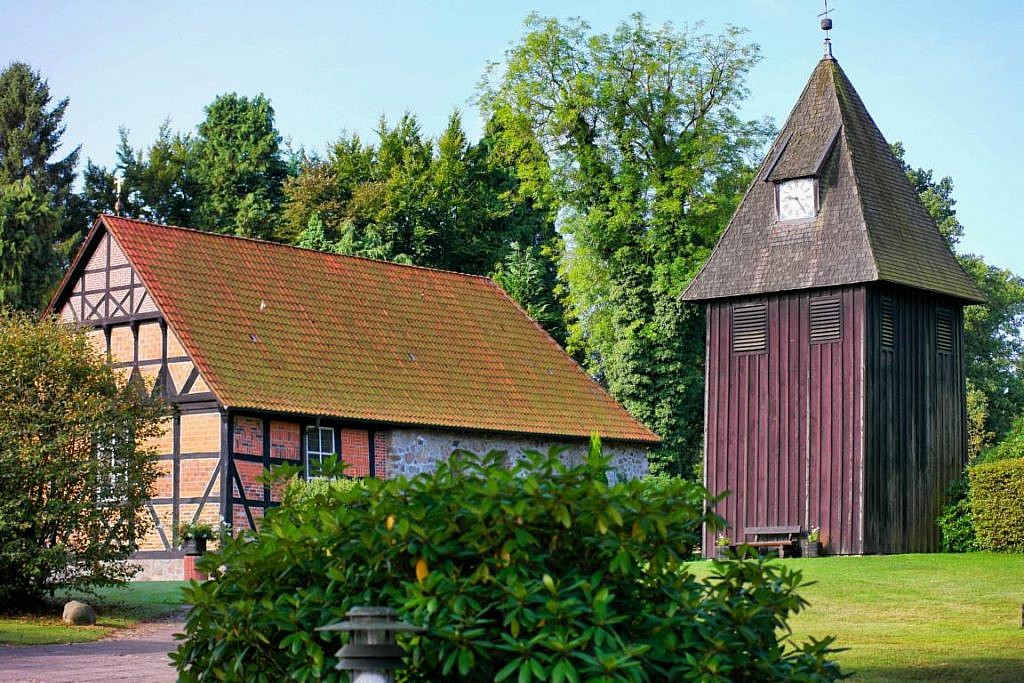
785, 428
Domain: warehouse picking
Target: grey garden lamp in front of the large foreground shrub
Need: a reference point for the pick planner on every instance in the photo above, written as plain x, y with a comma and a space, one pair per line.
372, 654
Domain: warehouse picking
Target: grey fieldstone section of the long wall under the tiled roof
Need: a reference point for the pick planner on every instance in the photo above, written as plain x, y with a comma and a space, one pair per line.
411, 452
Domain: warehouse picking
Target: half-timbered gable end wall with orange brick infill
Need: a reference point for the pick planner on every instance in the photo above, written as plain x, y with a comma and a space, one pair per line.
123, 322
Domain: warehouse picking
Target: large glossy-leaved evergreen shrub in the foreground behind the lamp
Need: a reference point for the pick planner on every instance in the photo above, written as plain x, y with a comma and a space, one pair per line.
532, 571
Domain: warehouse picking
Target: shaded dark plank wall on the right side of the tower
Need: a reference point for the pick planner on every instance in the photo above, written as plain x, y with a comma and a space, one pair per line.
917, 418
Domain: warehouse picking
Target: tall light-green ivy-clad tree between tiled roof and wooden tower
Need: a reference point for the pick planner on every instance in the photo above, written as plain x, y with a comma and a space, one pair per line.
645, 156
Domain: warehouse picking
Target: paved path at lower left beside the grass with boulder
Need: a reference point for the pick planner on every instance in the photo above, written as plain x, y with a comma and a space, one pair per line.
134, 655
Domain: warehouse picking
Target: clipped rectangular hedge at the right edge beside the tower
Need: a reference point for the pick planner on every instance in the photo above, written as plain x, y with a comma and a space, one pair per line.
998, 505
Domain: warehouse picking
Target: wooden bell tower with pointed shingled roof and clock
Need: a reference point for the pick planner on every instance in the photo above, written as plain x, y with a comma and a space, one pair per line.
835, 356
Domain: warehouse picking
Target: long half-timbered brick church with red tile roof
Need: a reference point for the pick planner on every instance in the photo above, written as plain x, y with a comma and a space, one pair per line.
271, 355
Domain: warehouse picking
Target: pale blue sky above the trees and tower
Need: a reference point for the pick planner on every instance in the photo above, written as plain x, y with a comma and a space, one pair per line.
944, 76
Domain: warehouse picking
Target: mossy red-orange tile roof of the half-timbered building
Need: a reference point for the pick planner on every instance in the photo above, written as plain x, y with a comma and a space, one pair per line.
278, 328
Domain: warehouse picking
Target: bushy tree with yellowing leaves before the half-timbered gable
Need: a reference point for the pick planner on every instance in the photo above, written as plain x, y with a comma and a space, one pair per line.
73, 475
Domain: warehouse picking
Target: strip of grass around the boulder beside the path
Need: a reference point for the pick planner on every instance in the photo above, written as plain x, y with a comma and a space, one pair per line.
116, 609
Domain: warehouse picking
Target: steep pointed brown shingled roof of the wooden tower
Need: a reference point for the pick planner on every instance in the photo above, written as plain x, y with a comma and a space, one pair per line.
871, 226
